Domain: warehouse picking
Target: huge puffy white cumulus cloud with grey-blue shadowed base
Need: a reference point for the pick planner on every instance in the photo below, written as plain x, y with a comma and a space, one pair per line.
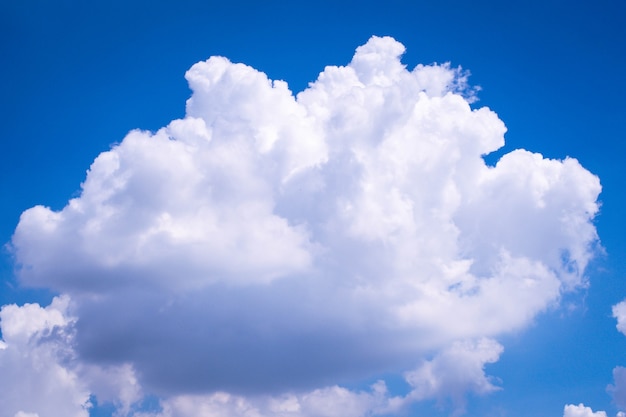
271, 243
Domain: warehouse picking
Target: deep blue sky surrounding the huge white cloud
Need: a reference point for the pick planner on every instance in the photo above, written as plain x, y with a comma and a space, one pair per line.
77, 76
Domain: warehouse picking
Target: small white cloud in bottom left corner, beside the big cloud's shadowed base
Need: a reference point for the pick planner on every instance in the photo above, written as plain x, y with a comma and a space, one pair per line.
41, 374
